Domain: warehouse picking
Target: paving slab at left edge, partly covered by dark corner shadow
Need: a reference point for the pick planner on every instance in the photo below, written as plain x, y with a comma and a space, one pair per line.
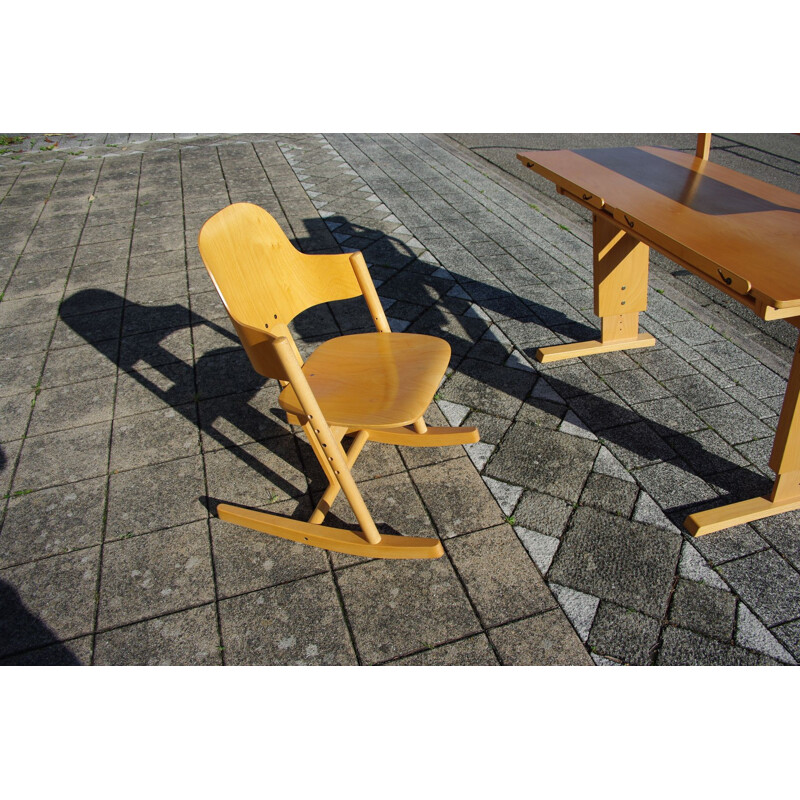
47, 601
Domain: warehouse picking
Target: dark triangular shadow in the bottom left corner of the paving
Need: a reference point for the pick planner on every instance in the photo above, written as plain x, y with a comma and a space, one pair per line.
24, 638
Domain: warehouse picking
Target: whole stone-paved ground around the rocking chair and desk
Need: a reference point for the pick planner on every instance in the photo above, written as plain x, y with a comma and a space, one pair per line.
128, 408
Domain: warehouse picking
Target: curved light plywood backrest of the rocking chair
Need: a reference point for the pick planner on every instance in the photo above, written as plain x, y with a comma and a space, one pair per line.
264, 281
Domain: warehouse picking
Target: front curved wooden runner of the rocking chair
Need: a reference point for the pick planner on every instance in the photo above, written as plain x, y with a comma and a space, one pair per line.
353, 543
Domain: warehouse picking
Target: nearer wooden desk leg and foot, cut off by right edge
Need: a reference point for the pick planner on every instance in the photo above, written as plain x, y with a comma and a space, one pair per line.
785, 461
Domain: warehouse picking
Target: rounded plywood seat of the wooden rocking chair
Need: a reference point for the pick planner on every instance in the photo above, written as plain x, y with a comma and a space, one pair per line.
373, 380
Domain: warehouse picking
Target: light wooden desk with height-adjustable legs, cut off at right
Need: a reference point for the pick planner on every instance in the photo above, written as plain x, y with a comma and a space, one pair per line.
738, 233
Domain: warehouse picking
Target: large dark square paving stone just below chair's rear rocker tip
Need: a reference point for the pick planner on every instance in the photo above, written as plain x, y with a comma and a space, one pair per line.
548, 461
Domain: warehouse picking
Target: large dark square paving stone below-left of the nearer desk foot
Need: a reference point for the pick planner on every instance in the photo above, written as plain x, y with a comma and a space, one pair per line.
628, 563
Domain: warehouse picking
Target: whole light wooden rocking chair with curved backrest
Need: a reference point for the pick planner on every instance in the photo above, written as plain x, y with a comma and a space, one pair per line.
369, 386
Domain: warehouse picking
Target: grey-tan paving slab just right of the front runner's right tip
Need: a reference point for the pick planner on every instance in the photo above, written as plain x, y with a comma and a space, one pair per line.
500, 578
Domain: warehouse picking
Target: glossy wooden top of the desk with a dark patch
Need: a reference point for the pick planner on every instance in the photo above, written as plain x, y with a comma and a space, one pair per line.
736, 230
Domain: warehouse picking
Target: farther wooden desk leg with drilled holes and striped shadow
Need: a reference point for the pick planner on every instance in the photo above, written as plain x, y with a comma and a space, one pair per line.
620, 292
